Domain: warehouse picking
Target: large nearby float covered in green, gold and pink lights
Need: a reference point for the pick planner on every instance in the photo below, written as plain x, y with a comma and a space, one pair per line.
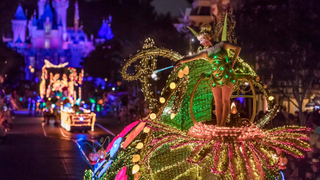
177, 140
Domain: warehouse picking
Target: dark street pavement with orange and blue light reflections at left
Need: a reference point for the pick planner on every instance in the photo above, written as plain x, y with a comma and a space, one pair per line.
36, 151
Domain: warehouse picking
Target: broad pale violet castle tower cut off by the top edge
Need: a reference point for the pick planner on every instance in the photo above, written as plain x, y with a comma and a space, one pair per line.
61, 7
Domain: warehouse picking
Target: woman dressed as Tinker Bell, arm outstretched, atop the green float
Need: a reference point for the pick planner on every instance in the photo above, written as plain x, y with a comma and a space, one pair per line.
222, 76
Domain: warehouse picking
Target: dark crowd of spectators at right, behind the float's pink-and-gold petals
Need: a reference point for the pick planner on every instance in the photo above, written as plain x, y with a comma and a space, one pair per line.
307, 168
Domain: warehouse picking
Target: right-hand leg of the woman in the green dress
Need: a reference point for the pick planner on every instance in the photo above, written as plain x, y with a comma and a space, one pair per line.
226, 94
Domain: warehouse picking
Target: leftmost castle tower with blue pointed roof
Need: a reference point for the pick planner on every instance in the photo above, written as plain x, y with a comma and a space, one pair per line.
19, 25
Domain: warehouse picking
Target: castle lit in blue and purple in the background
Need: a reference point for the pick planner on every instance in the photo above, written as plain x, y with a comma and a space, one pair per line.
46, 36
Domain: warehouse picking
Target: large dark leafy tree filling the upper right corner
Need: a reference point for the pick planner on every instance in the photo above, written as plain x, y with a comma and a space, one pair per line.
283, 38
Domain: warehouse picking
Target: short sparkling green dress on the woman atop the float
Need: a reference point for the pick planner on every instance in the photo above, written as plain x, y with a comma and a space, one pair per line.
221, 66
